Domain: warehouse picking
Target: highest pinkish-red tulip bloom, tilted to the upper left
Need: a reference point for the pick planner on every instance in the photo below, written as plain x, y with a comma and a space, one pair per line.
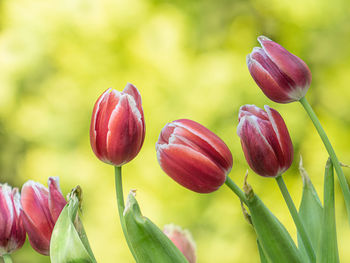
282, 76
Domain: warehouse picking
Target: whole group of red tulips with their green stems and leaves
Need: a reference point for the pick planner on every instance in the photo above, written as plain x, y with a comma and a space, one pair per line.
200, 161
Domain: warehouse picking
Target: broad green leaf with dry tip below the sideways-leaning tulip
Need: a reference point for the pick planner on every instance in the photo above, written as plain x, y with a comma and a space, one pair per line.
276, 243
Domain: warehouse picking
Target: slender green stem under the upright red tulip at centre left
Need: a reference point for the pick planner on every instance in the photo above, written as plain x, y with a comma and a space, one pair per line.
121, 206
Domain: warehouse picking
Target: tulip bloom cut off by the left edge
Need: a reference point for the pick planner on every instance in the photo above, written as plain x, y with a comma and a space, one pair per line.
12, 233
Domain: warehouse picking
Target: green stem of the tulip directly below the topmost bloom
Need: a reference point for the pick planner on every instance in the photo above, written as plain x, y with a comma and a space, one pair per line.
293, 211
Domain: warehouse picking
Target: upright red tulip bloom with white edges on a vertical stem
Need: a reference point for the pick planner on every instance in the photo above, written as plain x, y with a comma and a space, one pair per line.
117, 128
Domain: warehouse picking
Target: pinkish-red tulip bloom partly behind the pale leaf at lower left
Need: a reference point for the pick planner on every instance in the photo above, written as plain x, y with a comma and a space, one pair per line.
41, 209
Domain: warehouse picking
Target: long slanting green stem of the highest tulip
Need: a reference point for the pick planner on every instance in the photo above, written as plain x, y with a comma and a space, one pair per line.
342, 180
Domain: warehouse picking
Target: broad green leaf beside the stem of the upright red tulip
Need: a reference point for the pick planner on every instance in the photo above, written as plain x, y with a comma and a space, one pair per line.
150, 244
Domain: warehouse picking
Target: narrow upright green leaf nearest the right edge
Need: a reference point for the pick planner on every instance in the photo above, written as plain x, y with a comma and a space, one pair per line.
328, 247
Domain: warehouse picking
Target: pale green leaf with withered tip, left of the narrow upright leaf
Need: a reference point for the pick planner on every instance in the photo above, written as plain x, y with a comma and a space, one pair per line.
310, 211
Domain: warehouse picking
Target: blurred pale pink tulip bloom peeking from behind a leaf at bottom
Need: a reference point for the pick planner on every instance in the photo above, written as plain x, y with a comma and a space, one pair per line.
183, 241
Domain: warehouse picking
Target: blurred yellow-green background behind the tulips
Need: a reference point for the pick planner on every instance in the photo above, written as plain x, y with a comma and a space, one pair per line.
188, 60
